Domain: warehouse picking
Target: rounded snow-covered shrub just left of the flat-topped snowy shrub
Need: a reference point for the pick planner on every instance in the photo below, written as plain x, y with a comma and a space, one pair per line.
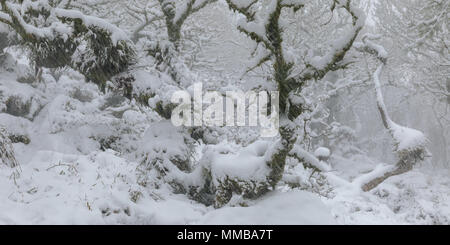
165, 153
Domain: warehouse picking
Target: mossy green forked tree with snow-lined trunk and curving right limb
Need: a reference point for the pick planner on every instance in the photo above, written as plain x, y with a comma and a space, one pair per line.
263, 23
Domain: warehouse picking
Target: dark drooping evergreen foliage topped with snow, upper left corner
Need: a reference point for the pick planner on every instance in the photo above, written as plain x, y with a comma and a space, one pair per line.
58, 37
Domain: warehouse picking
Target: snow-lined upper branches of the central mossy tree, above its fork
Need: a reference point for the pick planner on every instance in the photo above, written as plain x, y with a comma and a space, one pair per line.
261, 24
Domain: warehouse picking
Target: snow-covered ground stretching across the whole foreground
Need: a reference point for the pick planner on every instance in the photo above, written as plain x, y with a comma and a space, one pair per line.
102, 188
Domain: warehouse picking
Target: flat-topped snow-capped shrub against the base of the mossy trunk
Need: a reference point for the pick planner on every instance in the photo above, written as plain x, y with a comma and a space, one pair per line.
231, 170
